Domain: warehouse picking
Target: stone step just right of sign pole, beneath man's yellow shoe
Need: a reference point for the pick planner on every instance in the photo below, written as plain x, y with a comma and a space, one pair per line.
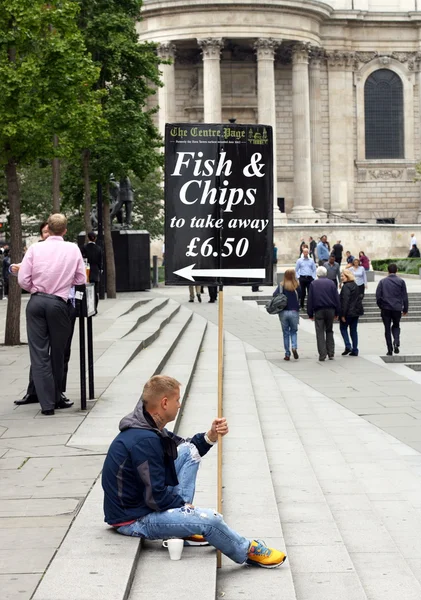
249, 503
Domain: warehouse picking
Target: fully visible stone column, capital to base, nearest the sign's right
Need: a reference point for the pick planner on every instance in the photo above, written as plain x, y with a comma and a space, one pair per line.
303, 209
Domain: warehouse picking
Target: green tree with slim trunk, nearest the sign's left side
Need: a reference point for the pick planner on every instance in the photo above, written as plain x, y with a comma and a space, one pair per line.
128, 70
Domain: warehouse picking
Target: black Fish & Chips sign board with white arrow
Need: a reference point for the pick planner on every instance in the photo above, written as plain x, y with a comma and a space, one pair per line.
218, 204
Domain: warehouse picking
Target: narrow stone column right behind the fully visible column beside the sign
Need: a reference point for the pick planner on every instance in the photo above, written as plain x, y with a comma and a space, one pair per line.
316, 58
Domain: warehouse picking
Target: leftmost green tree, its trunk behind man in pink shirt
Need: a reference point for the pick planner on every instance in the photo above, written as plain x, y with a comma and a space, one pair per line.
46, 90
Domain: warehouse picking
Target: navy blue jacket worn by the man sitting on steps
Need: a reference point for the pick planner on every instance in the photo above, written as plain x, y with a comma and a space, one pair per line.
139, 468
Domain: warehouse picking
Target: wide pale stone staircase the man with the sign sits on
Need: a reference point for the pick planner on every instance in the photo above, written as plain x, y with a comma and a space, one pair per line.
300, 471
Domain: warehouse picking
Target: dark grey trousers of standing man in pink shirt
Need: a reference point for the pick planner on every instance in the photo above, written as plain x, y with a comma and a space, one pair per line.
48, 327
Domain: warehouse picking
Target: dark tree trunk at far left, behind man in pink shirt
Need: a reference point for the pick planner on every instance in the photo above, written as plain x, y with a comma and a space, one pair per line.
12, 332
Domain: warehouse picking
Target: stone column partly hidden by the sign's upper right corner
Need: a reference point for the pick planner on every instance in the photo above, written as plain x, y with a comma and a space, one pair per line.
266, 104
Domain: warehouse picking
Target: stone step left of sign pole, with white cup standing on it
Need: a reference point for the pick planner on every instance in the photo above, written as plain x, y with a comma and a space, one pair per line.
182, 579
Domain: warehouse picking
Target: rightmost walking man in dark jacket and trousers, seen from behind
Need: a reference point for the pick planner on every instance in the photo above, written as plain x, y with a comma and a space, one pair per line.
392, 299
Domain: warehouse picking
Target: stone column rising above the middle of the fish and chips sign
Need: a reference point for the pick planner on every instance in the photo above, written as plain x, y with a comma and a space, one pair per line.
211, 52
